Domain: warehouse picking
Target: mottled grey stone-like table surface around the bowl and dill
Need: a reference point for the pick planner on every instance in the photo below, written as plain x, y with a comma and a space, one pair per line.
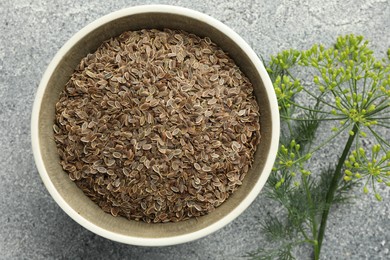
32, 226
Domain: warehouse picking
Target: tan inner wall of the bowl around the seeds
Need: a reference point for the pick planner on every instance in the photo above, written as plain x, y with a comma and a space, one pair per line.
73, 196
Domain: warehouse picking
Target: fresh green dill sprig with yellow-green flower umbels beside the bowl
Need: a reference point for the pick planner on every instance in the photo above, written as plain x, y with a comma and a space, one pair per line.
347, 90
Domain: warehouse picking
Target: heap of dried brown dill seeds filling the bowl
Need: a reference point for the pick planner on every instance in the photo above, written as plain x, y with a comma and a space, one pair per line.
156, 126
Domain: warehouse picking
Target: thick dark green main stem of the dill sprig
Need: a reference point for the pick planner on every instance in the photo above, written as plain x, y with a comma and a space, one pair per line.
332, 189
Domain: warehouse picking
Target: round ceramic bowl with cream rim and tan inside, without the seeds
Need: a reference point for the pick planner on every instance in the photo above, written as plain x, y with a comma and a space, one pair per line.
73, 201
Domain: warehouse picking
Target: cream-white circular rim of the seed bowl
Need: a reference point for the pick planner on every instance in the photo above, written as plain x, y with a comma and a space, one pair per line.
164, 241
